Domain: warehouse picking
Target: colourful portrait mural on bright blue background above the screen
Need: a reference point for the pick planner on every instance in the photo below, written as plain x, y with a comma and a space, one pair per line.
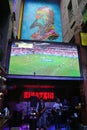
41, 21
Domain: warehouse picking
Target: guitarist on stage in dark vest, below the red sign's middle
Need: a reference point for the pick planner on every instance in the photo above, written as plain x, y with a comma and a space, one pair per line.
41, 122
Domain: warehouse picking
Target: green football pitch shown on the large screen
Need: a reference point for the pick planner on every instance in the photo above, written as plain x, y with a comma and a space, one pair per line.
48, 65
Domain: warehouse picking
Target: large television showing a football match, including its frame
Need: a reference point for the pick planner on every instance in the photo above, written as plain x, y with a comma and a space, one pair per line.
43, 60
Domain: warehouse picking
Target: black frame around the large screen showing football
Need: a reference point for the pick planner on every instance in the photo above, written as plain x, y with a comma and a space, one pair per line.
42, 77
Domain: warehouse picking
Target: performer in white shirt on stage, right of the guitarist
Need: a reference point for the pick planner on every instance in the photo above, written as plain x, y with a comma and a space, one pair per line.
57, 112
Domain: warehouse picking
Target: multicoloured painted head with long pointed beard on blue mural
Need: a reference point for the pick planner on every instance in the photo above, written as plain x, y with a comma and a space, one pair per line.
45, 23
